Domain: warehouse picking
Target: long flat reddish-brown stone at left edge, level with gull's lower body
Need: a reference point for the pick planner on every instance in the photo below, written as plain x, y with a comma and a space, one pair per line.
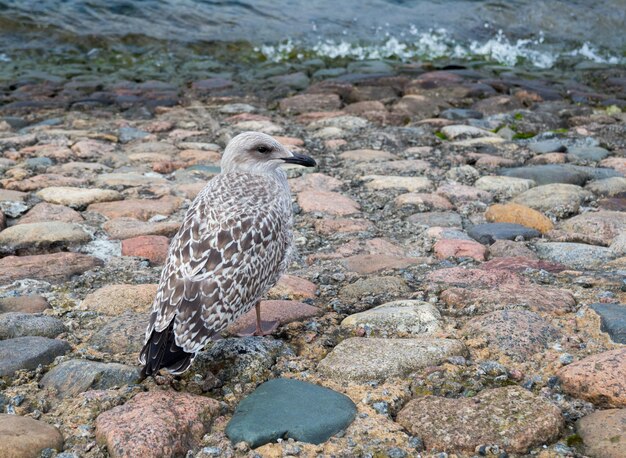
48, 267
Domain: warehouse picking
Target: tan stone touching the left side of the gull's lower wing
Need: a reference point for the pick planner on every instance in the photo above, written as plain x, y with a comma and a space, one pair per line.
117, 299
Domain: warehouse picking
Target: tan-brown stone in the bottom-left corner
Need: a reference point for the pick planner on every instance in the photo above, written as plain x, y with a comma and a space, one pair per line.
25, 437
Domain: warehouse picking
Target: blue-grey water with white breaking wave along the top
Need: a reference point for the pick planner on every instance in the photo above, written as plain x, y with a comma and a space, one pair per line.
117, 33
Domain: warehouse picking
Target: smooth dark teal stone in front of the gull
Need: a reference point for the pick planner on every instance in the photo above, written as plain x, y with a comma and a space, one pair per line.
284, 408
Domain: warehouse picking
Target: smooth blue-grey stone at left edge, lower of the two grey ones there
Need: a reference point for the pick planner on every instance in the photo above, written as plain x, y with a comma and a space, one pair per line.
29, 352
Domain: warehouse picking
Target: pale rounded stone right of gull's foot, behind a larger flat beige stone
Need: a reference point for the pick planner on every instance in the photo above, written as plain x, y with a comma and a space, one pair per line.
397, 319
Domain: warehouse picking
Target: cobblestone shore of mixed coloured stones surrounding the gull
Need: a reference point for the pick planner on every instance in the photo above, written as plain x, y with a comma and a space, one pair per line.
407, 159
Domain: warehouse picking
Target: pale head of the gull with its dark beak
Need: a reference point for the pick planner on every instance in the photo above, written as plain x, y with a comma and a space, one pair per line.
256, 152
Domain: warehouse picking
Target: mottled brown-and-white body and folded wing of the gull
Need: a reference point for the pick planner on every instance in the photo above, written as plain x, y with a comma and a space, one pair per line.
222, 260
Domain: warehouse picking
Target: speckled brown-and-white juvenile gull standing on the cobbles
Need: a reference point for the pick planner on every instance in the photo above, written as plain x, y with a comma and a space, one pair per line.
232, 247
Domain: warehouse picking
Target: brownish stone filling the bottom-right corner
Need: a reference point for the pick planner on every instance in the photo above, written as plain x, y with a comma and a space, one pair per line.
603, 433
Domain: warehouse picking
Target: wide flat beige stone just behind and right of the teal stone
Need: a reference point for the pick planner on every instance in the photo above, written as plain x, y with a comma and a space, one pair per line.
361, 360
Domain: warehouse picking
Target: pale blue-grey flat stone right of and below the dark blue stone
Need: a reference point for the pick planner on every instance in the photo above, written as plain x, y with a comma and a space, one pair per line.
574, 255
